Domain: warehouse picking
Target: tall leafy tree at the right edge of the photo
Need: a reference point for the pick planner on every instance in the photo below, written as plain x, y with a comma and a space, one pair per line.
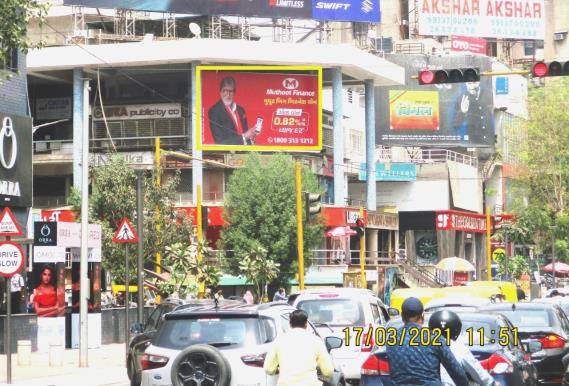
545, 181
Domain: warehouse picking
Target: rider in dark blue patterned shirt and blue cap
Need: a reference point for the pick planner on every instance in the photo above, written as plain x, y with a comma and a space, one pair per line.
420, 364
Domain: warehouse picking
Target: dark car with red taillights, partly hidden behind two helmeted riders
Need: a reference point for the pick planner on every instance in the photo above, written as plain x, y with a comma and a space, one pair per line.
507, 361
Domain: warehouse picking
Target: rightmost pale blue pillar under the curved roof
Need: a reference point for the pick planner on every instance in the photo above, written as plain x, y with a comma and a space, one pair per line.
371, 198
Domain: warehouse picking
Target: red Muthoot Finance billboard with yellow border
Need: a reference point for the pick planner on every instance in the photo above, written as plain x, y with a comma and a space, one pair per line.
251, 108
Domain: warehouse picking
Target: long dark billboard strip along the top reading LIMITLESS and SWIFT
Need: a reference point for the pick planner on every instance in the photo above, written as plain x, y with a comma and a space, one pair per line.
344, 10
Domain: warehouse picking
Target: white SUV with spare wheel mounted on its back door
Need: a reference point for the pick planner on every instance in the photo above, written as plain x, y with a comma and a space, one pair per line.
211, 341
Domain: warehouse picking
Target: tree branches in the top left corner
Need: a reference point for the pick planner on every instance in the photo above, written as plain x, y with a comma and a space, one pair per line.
14, 18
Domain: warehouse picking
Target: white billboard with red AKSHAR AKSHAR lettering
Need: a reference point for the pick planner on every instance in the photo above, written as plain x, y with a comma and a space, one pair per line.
512, 19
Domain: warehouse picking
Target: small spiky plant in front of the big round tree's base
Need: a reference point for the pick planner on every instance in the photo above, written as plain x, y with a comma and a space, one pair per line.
258, 269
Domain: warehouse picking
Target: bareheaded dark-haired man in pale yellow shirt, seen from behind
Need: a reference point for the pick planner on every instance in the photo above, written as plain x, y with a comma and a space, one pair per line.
297, 367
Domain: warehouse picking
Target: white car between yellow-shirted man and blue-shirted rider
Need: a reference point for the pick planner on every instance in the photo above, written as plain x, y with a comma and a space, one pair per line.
335, 312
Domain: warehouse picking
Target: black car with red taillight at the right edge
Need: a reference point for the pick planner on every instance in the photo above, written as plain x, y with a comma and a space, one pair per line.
545, 323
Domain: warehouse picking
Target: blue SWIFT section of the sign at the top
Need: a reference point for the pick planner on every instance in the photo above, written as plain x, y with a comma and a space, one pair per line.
347, 10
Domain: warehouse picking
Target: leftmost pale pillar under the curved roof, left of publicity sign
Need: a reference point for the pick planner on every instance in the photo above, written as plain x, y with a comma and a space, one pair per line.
77, 125
